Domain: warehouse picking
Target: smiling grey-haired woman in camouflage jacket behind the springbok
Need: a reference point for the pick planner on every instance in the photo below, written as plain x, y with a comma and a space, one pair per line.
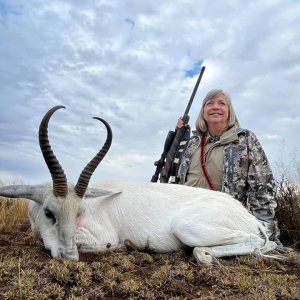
223, 157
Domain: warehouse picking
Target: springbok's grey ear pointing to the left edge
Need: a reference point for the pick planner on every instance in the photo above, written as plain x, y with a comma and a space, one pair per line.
31, 192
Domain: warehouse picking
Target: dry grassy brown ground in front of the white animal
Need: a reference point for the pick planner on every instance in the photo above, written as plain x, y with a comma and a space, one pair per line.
28, 272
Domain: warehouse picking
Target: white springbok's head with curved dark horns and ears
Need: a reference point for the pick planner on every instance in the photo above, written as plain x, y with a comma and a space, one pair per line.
58, 206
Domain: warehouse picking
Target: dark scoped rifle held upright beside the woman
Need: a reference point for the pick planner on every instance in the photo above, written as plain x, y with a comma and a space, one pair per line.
166, 166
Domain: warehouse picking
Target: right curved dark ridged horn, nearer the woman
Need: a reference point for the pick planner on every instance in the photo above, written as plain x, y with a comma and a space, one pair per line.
87, 172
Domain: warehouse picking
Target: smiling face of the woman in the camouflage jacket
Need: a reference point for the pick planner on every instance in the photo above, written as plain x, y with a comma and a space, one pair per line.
216, 111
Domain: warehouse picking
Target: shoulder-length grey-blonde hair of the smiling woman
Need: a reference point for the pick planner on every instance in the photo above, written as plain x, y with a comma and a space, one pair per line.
201, 125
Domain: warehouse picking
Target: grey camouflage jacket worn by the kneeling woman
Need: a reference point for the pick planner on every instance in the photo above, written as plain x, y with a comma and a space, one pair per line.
247, 176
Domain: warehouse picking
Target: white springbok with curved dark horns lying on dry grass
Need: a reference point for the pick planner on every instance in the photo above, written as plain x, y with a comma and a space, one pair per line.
160, 217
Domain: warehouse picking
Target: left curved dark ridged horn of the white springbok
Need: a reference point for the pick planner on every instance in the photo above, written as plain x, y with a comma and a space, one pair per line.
59, 178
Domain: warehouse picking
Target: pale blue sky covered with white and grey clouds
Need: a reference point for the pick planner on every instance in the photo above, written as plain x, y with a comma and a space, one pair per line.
135, 63
